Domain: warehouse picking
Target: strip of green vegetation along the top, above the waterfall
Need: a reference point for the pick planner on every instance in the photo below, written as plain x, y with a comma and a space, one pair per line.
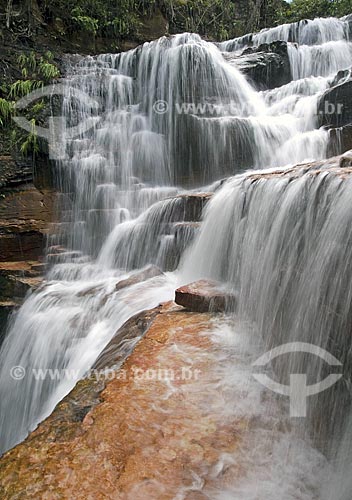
122, 19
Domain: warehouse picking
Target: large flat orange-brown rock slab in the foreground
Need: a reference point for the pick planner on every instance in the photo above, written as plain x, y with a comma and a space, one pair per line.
145, 440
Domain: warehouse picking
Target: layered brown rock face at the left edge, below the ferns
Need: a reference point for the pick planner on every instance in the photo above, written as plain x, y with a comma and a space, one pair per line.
26, 212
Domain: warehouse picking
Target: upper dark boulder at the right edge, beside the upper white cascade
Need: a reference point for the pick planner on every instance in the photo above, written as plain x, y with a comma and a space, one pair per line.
335, 106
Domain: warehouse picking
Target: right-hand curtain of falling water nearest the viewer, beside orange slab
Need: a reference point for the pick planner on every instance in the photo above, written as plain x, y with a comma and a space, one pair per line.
284, 244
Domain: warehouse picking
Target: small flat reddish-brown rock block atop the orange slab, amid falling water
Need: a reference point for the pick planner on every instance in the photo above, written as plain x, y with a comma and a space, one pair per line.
204, 296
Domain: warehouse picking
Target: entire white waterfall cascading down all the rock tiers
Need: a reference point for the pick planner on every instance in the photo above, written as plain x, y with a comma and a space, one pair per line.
177, 112
